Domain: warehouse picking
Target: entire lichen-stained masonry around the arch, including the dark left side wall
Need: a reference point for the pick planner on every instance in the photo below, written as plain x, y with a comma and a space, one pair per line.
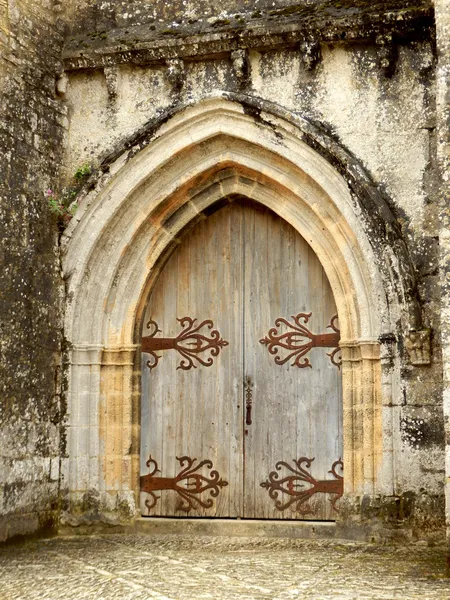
364, 72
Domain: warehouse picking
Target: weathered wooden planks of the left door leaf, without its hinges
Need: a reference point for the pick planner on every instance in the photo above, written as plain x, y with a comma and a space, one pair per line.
197, 413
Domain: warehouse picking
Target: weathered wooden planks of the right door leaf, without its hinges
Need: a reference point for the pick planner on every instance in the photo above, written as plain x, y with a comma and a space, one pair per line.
296, 411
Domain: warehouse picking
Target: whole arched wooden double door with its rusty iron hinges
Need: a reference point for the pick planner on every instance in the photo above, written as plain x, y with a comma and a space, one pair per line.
241, 383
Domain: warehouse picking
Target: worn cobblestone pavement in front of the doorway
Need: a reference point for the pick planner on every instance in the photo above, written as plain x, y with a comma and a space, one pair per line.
131, 567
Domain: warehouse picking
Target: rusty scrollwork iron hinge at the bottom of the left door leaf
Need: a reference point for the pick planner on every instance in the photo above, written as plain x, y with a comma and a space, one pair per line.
195, 483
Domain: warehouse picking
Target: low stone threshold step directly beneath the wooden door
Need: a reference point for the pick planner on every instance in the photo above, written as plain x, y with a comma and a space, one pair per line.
237, 527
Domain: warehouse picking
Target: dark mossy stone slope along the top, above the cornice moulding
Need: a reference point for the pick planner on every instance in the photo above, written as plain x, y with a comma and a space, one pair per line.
179, 16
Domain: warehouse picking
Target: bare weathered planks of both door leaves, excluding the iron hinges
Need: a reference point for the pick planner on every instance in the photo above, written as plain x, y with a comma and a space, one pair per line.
243, 267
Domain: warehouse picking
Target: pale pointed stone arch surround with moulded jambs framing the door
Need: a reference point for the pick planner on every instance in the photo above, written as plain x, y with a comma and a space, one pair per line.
128, 224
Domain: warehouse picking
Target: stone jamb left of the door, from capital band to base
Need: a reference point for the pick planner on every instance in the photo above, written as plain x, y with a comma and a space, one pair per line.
103, 434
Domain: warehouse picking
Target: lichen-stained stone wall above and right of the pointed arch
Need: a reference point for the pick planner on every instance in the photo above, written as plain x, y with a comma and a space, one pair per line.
375, 94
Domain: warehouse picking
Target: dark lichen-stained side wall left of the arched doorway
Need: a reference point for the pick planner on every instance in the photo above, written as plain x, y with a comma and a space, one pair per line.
31, 136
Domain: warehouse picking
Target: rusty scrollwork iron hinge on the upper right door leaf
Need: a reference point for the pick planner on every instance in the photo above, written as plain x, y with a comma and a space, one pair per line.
298, 340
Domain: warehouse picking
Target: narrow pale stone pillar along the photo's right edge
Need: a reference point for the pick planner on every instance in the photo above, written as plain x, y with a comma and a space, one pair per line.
442, 12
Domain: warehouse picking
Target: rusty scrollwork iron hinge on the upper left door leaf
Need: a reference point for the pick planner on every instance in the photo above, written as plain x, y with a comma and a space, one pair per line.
190, 343
